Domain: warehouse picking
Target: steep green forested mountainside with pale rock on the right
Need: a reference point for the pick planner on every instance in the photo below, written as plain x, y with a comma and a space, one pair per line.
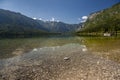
107, 20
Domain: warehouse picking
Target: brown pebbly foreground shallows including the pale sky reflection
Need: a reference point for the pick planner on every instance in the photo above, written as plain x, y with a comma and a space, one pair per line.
48, 64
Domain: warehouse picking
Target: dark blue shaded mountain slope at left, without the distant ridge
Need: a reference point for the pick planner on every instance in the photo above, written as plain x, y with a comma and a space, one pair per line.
16, 23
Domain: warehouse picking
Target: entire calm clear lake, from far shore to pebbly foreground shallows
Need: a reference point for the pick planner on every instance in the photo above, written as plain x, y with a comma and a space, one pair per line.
60, 58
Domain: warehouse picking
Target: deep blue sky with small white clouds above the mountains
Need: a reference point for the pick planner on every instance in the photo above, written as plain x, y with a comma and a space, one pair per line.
68, 11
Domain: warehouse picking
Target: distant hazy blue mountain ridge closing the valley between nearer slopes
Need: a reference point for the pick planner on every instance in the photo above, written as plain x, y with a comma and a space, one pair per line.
59, 27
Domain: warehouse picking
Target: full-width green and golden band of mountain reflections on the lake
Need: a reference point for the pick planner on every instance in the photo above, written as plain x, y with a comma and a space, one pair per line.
107, 47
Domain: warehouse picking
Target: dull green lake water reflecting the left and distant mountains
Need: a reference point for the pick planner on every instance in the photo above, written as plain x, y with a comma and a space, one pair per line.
17, 46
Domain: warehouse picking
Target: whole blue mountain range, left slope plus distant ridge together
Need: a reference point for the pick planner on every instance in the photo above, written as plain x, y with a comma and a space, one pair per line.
13, 23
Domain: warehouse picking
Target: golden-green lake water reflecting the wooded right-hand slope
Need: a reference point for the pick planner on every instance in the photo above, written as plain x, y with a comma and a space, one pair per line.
107, 47
